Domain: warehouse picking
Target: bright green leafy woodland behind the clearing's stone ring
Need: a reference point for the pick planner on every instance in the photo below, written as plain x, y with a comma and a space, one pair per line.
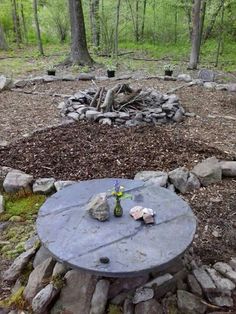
157, 28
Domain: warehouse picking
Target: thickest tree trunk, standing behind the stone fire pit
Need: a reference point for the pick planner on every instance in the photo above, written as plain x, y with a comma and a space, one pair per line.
79, 50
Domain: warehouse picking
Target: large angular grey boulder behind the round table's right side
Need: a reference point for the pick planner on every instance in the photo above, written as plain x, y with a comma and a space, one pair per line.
208, 171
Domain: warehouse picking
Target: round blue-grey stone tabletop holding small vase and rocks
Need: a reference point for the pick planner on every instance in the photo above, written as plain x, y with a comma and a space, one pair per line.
74, 238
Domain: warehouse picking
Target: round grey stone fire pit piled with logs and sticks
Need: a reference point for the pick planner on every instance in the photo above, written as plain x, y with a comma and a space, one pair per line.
123, 105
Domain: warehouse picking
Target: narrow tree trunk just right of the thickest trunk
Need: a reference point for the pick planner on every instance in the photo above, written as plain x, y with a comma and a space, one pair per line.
95, 22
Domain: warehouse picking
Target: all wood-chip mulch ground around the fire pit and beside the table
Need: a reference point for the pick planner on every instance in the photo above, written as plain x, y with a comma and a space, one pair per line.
81, 151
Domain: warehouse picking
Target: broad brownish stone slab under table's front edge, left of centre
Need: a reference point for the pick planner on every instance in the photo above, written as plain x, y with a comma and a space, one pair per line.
76, 295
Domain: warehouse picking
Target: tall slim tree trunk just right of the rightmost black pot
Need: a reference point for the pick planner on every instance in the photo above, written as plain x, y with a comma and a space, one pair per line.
195, 34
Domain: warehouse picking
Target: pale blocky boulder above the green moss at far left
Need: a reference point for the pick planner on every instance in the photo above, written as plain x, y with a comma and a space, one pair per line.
17, 180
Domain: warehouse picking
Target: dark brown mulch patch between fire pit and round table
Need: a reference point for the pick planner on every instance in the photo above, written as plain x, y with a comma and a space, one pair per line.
85, 151
